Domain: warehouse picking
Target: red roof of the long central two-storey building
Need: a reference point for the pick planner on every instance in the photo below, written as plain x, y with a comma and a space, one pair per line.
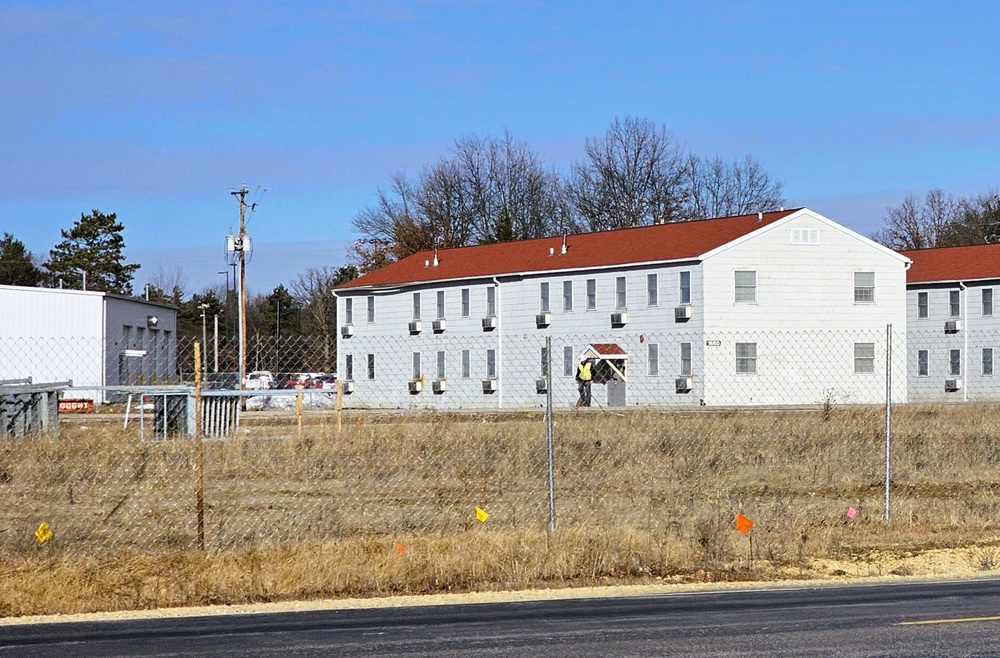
661, 242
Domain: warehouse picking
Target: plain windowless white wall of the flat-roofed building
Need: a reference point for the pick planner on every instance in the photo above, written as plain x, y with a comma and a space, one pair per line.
52, 335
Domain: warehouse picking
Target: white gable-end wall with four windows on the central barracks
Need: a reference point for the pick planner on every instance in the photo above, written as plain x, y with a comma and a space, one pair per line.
807, 289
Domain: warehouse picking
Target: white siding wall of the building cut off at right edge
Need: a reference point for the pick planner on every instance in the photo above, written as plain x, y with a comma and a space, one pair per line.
978, 331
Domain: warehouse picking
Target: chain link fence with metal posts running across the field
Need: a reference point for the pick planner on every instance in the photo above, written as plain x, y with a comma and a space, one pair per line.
684, 431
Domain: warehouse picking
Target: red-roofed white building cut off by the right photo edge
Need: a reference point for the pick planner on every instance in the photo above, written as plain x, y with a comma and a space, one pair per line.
953, 333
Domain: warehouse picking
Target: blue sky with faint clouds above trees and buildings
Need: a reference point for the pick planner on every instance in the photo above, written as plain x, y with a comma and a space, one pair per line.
156, 110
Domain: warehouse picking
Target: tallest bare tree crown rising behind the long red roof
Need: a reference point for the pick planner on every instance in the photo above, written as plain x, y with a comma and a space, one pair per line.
633, 175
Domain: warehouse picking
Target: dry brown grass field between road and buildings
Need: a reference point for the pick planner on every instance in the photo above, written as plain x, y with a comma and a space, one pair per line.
640, 496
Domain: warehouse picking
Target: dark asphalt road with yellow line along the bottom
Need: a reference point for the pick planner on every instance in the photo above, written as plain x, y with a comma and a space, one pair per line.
914, 619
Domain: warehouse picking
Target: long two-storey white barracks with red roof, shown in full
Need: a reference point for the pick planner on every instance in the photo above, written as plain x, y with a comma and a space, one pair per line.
776, 308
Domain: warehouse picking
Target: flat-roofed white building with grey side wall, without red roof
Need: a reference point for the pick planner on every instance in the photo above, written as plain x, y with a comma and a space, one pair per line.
93, 339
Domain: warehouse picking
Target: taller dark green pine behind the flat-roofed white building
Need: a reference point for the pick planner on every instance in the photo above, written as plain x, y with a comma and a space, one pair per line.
94, 245
